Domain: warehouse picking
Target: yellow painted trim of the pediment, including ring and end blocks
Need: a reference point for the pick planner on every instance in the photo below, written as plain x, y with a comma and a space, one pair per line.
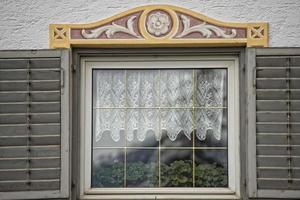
256, 33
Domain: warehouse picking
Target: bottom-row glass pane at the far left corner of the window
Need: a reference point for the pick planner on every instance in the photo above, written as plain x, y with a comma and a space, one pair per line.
108, 168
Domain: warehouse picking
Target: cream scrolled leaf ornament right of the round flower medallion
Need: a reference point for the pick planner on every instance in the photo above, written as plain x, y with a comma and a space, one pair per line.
205, 29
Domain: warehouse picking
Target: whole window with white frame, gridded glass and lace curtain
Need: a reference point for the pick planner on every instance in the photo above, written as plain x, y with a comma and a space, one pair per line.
160, 124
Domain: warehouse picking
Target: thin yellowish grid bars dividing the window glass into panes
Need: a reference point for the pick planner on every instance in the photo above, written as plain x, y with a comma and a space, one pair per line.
194, 107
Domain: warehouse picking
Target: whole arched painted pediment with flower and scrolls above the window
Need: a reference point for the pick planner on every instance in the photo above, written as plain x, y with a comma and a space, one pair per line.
158, 26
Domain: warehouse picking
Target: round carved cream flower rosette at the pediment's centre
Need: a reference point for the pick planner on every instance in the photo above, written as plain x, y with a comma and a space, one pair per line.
158, 23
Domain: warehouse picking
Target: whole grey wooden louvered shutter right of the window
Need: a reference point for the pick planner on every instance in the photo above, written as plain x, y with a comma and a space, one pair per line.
274, 122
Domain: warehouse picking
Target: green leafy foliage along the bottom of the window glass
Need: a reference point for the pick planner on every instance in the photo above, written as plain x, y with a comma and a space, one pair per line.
179, 173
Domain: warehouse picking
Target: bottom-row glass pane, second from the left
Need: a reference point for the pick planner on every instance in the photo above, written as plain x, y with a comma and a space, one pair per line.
142, 168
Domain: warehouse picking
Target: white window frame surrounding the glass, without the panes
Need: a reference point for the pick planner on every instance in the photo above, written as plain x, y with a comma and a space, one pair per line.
231, 63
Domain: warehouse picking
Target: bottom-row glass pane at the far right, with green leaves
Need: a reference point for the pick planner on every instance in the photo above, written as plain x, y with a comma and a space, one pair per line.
211, 168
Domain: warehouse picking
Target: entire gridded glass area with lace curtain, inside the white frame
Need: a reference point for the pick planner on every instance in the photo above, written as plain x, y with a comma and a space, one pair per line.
153, 125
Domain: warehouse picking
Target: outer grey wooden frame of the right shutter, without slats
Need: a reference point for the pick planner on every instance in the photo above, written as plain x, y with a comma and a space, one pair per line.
251, 56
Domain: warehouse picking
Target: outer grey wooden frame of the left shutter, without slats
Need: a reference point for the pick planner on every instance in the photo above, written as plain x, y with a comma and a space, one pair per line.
64, 188
